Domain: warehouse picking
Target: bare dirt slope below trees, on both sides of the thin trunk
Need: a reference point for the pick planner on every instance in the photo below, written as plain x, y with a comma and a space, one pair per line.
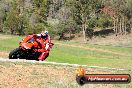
114, 40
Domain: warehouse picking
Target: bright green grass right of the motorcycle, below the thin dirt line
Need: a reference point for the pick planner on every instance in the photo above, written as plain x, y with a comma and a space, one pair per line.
73, 55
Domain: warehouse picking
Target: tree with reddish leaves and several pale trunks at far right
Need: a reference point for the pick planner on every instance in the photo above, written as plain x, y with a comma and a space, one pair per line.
119, 10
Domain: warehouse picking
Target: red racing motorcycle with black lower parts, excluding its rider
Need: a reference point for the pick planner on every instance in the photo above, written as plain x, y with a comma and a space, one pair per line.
27, 49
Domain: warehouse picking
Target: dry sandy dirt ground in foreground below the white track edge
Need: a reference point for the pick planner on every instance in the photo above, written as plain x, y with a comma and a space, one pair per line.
16, 75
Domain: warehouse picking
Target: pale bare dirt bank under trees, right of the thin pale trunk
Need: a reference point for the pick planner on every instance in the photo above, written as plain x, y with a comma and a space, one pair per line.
111, 40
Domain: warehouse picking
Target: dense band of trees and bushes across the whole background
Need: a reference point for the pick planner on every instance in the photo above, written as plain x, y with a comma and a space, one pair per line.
68, 16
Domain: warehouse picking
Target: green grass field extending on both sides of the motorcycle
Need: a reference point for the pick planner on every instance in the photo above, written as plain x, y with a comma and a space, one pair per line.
75, 55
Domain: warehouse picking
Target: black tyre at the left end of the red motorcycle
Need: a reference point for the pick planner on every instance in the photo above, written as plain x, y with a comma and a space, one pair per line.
15, 54
